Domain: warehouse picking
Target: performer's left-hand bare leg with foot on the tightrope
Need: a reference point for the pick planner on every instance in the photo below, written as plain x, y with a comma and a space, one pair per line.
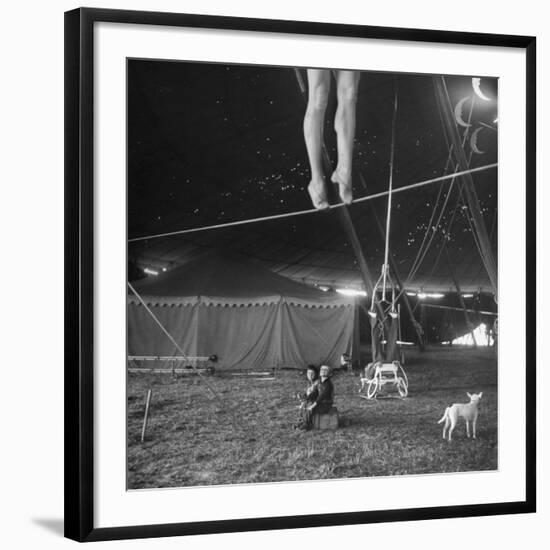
319, 87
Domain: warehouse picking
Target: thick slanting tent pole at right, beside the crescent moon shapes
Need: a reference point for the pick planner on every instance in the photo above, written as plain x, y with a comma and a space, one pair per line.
468, 186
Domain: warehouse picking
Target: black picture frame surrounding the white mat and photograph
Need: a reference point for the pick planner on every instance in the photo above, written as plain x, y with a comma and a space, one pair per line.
79, 268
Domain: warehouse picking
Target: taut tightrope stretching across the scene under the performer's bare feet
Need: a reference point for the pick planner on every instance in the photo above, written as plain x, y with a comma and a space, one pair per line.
314, 210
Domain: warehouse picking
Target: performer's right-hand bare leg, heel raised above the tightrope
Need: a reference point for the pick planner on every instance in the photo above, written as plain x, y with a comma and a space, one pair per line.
347, 83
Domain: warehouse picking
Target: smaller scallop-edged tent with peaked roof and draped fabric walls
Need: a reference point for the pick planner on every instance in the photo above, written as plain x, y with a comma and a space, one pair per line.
237, 309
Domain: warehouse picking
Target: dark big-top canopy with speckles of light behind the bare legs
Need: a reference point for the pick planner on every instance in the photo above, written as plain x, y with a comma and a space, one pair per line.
212, 144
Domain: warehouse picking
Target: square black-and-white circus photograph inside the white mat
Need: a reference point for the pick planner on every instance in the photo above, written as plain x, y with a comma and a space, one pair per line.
312, 274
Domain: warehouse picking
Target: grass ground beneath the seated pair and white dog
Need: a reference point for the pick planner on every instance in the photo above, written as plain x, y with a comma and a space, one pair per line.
193, 439
